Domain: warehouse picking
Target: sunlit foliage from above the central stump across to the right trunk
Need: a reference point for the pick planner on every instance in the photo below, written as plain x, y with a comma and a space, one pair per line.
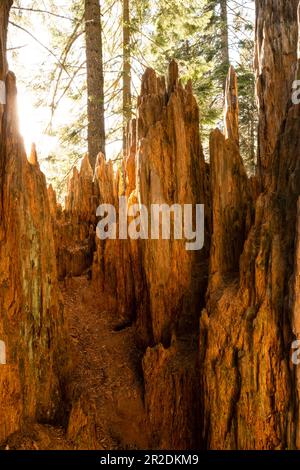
193, 33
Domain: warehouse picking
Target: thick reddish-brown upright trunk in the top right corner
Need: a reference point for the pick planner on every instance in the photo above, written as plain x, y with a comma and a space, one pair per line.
273, 68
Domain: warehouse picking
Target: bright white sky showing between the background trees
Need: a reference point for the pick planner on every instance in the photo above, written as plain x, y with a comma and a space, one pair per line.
52, 90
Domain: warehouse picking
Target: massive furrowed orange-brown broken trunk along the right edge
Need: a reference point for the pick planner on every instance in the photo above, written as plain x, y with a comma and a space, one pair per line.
248, 389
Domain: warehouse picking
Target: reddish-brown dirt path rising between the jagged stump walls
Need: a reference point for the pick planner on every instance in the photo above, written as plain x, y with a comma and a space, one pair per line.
107, 366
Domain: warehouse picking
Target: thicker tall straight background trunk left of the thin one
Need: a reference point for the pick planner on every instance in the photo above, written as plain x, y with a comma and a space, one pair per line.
95, 80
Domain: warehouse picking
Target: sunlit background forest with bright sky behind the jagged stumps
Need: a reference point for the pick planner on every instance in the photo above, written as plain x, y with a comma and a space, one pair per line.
85, 74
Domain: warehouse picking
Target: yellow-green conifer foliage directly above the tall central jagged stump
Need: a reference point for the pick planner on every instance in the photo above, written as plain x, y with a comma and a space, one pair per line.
181, 31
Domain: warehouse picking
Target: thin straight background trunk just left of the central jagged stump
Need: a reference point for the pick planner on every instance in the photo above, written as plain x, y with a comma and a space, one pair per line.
126, 70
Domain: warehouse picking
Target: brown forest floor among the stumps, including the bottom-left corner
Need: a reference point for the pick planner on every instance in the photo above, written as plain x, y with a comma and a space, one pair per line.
106, 377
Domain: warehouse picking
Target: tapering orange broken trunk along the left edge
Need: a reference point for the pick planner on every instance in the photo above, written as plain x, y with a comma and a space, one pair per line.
31, 321
